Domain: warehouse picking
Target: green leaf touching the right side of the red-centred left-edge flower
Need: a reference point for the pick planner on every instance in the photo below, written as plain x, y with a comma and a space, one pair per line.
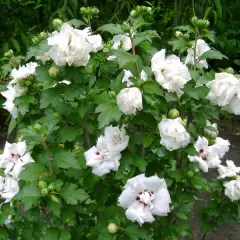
32, 171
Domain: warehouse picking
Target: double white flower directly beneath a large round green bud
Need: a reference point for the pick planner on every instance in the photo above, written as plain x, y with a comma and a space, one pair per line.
173, 134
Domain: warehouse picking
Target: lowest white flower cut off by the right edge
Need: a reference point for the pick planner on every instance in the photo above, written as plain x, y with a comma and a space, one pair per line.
232, 189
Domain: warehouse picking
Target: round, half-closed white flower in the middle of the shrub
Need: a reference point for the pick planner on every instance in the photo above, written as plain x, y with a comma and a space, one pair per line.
129, 100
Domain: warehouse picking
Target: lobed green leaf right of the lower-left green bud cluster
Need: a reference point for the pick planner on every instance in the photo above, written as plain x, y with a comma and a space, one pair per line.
71, 194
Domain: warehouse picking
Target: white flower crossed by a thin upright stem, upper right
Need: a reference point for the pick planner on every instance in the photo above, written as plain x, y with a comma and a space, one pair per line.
201, 47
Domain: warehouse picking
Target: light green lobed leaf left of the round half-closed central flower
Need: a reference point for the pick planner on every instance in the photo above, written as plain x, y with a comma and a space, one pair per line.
108, 112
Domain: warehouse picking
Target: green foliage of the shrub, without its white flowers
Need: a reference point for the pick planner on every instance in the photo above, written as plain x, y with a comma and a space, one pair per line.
60, 197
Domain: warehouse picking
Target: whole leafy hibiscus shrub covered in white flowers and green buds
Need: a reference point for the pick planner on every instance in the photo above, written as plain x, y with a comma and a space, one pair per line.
114, 135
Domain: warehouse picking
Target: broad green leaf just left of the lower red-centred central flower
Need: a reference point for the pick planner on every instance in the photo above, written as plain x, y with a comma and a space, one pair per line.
65, 159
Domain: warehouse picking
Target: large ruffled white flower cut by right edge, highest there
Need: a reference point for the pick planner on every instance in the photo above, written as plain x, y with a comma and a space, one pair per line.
225, 92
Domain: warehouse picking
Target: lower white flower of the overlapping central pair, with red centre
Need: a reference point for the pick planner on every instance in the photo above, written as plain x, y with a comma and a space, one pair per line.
101, 159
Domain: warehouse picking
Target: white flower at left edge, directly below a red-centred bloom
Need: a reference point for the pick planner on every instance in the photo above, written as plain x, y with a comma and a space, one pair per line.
8, 188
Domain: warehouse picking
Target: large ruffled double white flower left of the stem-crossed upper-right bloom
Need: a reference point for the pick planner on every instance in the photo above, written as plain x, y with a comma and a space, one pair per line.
170, 72
